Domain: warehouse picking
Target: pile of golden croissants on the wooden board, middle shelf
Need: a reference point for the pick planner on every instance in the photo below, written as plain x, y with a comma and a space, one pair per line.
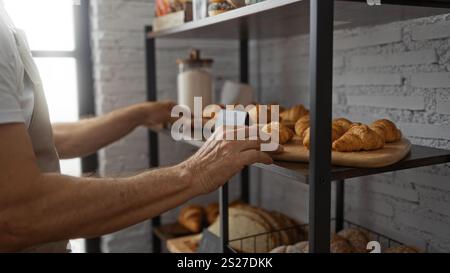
347, 136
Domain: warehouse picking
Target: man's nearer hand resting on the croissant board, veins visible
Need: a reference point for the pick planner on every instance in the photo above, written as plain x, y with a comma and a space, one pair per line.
218, 160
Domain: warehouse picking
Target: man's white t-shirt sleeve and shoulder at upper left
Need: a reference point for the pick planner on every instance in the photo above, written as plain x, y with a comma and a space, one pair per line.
16, 94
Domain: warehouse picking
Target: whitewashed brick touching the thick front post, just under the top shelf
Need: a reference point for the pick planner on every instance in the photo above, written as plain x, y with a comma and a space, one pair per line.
370, 38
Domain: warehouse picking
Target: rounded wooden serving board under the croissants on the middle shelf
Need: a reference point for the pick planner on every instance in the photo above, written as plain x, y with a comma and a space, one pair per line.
390, 154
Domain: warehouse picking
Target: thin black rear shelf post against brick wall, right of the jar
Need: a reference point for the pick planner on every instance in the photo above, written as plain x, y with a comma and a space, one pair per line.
244, 77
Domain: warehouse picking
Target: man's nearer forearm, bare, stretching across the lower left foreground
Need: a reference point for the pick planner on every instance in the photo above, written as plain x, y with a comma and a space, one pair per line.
63, 207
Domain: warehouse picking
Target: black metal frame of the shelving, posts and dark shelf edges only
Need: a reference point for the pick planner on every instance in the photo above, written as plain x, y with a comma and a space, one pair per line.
320, 173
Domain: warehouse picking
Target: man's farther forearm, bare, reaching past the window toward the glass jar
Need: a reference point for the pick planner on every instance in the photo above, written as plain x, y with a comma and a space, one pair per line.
87, 136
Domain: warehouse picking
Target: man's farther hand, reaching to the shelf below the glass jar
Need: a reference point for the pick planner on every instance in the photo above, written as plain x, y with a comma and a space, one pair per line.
154, 113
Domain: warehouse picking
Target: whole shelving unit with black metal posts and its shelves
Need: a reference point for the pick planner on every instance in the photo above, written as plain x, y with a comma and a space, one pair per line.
284, 18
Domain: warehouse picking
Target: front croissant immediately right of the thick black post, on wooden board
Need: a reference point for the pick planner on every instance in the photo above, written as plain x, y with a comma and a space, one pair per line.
358, 138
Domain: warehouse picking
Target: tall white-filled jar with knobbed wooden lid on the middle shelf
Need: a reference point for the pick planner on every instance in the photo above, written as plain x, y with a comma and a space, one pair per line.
195, 79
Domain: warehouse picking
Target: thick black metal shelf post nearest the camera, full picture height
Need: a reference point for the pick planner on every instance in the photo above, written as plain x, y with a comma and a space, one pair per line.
321, 84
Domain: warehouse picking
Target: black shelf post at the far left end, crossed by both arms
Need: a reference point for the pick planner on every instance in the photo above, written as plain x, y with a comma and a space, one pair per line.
153, 140
